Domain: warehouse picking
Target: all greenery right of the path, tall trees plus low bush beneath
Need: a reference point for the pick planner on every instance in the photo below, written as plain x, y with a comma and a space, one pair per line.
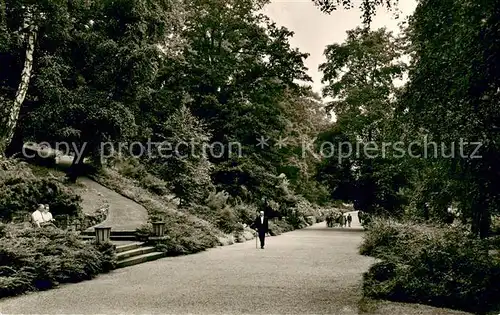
448, 108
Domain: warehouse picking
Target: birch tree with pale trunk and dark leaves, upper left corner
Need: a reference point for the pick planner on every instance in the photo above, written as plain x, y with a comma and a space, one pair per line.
21, 22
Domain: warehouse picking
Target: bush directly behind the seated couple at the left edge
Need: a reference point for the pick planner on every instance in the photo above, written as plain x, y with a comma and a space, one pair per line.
21, 191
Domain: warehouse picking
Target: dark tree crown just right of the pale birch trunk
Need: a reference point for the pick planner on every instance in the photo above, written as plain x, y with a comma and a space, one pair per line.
97, 67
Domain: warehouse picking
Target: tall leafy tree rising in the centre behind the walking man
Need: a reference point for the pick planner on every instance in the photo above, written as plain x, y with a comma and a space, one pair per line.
238, 68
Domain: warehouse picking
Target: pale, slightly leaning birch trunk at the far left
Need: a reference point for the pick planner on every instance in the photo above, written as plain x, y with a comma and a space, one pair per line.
13, 112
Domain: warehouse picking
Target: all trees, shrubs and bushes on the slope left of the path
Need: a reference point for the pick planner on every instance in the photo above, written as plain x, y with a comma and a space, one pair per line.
101, 76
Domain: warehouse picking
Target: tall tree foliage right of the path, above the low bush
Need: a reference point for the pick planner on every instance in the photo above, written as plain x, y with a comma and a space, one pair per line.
439, 126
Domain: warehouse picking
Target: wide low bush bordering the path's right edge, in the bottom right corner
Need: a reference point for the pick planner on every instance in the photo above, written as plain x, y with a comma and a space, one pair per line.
439, 266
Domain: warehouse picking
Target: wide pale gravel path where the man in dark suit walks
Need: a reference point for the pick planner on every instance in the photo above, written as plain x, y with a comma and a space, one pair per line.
311, 271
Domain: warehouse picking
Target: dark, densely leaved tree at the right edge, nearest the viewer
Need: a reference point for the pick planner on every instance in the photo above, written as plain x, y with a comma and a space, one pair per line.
453, 95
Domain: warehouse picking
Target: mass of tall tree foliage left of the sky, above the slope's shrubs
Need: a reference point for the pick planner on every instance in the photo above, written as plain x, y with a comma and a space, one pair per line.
209, 78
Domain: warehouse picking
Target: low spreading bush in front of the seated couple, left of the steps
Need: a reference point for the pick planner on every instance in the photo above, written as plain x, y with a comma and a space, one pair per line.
40, 259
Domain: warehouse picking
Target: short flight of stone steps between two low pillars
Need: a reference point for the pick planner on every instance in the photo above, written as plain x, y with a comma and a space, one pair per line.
129, 250
